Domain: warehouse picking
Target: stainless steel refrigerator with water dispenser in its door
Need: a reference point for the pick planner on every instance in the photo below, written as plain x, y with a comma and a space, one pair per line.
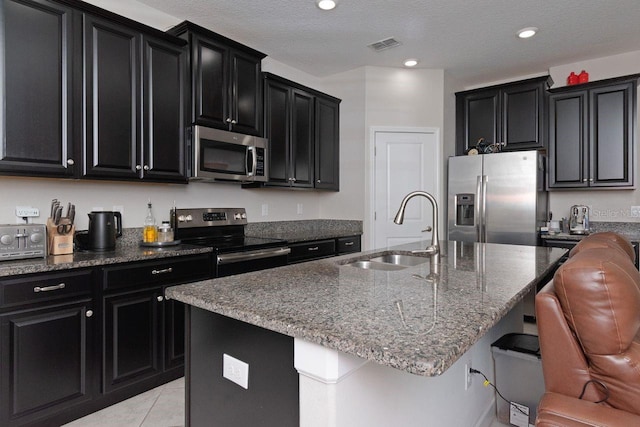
497, 198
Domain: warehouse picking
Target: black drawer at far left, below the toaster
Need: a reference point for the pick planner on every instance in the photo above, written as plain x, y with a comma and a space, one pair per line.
44, 287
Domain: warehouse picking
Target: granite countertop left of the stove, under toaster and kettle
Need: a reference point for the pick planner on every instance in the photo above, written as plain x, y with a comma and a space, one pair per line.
122, 254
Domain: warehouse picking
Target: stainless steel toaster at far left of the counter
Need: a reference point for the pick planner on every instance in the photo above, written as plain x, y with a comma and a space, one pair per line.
21, 241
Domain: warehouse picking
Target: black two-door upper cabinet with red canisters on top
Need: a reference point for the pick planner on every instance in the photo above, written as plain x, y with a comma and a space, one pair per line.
592, 134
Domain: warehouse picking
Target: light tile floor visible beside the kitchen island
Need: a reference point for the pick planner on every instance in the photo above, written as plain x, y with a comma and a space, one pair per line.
160, 407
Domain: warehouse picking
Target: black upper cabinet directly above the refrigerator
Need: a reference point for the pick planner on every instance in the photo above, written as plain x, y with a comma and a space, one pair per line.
513, 113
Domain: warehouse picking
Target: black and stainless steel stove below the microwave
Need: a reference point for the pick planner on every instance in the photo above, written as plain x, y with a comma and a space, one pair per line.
223, 229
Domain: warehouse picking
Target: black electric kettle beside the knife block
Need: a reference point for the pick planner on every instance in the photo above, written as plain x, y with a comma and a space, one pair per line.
104, 228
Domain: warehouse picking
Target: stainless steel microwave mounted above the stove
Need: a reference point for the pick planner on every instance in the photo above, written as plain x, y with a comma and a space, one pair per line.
227, 156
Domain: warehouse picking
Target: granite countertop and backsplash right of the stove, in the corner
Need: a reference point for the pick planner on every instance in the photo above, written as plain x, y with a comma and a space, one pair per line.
298, 231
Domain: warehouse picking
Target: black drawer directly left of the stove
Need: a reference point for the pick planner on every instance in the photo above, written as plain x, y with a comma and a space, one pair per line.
167, 271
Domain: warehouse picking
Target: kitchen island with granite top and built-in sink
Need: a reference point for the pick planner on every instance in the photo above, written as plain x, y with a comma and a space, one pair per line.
370, 346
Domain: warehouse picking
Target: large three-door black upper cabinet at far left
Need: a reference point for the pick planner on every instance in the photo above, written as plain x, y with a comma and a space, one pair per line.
90, 94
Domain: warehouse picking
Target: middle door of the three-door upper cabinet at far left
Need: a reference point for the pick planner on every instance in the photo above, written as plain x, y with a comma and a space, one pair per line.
112, 87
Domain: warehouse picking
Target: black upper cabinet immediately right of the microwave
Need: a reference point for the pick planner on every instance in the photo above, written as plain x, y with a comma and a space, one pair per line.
302, 126
